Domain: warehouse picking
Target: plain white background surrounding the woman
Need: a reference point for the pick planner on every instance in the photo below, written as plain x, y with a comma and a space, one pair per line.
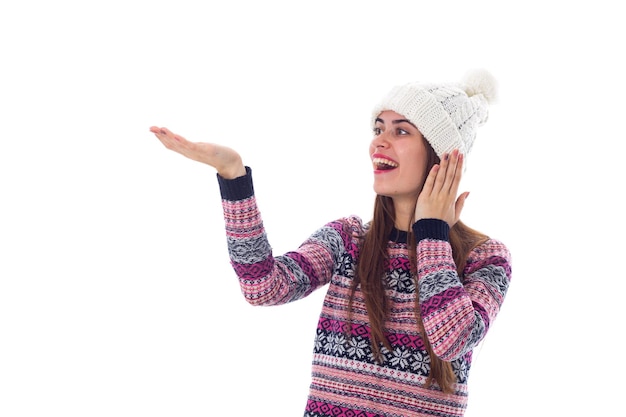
116, 293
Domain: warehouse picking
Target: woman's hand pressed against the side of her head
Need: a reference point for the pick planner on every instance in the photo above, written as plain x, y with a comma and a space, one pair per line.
438, 199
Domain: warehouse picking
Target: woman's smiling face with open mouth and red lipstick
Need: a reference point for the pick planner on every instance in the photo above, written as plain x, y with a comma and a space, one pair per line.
399, 157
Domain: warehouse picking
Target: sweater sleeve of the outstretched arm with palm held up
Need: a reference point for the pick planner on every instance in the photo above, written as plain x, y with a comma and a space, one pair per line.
266, 279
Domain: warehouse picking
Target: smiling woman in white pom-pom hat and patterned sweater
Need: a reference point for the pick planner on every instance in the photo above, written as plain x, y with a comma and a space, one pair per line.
411, 292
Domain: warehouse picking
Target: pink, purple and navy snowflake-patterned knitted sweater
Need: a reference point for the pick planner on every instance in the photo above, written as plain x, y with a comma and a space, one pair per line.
346, 379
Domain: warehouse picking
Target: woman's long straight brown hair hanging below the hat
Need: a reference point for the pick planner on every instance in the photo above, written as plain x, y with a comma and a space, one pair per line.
371, 269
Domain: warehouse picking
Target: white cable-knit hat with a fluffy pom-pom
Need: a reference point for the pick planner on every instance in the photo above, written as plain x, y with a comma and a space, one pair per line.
446, 114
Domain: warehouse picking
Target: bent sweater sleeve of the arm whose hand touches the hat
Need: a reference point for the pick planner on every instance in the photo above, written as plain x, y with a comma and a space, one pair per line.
457, 314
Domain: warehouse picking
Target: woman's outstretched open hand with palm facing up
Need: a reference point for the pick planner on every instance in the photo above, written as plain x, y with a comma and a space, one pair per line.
225, 160
